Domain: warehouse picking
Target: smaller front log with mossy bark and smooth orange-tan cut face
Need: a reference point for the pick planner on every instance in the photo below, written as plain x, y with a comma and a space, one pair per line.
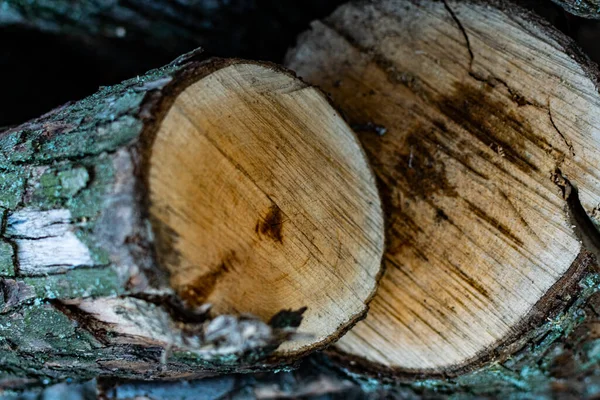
207, 182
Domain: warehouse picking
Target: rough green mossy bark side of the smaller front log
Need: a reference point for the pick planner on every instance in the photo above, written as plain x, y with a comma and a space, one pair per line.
82, 295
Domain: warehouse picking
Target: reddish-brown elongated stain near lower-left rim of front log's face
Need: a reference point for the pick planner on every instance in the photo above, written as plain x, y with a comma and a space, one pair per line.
199, 290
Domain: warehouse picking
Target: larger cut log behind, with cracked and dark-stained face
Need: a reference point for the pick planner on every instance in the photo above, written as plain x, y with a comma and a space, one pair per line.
481, 123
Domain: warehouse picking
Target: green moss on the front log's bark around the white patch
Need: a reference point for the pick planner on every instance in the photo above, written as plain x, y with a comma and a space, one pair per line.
63, 161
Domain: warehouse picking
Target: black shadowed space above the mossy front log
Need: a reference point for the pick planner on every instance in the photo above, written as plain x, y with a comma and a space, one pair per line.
42, 70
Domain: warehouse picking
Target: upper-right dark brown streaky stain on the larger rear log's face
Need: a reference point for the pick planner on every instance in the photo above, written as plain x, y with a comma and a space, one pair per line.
492, 122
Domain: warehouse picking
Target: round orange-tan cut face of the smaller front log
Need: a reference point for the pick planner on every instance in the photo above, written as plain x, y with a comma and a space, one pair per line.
266, 199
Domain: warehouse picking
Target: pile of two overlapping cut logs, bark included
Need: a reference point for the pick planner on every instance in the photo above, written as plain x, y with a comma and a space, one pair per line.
221, 216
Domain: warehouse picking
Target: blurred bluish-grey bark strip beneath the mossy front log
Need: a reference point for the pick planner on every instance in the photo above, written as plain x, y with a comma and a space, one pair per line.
310, 381
